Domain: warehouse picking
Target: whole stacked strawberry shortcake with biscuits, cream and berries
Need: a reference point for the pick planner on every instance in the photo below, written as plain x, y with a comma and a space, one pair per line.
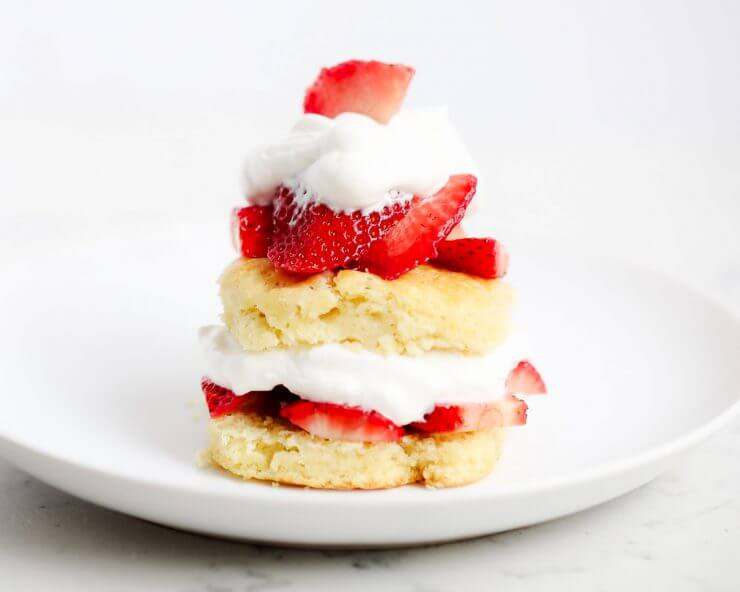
366, 340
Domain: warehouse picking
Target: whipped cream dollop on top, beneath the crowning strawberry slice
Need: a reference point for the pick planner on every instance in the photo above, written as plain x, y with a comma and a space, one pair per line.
352, 162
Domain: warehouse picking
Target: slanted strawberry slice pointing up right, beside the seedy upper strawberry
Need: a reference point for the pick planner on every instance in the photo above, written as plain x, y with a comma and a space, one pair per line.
414, 239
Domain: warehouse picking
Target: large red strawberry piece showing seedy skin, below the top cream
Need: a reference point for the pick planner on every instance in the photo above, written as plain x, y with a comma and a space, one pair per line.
313, 238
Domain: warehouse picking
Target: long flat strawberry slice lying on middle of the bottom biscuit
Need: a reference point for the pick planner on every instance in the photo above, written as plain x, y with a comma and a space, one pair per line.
338, 422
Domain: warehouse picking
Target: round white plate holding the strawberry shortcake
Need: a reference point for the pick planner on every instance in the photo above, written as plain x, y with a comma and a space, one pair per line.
100, 394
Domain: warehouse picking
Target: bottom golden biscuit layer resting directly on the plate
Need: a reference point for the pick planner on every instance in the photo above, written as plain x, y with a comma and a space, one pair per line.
257, 447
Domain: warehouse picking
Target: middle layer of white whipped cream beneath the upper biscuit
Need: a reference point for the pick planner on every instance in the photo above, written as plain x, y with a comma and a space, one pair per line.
403, 388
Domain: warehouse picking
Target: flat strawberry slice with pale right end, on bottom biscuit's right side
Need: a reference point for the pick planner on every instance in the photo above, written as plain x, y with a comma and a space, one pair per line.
474, 416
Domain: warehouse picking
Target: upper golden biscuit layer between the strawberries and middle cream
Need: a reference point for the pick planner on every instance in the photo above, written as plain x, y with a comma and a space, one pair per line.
425, 309
